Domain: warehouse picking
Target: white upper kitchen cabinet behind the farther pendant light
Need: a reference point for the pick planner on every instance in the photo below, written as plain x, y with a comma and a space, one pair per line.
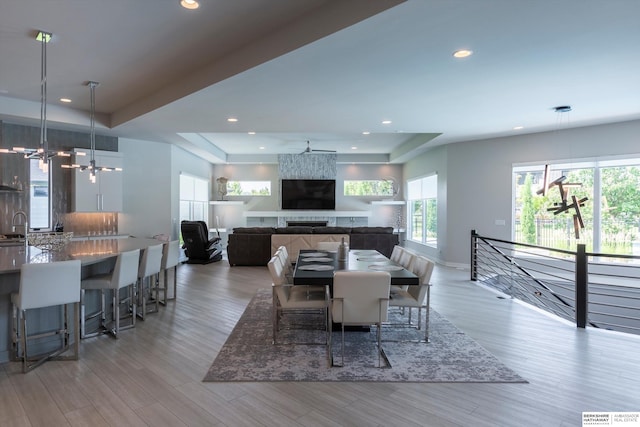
105, 195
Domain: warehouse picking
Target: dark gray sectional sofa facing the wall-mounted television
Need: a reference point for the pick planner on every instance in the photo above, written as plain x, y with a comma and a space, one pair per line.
252, 245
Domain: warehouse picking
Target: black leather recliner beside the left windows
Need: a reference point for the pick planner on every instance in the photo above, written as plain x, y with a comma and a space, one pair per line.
197, 245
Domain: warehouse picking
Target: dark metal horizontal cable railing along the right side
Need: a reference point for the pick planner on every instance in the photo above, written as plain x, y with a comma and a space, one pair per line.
600, 290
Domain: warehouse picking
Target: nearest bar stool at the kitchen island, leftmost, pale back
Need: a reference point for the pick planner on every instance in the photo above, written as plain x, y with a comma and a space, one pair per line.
46, 285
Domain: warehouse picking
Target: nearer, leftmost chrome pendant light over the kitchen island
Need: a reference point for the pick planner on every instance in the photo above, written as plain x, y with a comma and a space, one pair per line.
42, 153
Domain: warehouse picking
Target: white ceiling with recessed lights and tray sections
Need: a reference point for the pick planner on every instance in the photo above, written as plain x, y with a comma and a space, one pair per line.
322, 71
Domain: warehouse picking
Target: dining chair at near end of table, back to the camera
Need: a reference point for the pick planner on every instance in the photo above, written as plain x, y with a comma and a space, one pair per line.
360, 298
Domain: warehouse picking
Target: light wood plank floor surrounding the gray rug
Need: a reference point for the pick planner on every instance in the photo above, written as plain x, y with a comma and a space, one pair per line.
152, 374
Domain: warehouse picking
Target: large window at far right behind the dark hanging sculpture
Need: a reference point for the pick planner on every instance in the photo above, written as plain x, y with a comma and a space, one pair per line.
610, 215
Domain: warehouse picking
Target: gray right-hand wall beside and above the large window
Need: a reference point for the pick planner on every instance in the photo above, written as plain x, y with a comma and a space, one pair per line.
477, 177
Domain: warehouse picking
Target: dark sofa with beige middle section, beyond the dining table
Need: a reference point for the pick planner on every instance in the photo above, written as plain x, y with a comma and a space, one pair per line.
256, 245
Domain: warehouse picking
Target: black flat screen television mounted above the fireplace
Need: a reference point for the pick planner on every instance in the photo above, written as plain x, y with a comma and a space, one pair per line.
309, 194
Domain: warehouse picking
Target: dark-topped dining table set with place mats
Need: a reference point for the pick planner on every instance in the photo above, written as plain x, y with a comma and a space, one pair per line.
316, 267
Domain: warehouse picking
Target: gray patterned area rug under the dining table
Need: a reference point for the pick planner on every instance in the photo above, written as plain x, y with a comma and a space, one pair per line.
451, 356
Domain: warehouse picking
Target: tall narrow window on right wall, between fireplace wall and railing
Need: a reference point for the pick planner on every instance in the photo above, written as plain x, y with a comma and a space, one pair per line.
423, 210
